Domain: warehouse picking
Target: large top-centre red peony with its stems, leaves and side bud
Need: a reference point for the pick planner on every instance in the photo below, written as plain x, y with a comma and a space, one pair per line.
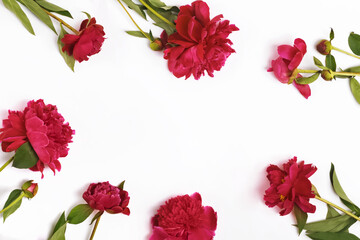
193, 43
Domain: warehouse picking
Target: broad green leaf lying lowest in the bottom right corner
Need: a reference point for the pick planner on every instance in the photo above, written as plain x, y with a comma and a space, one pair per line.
334, 224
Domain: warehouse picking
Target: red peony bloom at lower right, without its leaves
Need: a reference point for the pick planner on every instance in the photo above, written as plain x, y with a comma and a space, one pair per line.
289, 186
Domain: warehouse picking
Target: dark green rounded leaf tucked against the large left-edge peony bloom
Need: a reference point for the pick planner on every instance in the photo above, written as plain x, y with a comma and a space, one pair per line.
25, 156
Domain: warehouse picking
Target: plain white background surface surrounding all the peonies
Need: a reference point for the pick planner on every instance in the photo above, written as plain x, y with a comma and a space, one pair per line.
165, 136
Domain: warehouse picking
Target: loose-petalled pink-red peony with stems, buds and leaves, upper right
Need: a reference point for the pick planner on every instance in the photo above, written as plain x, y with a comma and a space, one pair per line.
286, 70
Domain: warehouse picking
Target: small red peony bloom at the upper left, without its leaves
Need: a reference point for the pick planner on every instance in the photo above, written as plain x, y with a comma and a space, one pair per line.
87, 43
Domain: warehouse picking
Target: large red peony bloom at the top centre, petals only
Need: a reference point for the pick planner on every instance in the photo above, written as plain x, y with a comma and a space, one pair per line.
200, 43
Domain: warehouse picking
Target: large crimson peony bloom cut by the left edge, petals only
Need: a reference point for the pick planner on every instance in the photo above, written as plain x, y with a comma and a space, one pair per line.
44, 128
